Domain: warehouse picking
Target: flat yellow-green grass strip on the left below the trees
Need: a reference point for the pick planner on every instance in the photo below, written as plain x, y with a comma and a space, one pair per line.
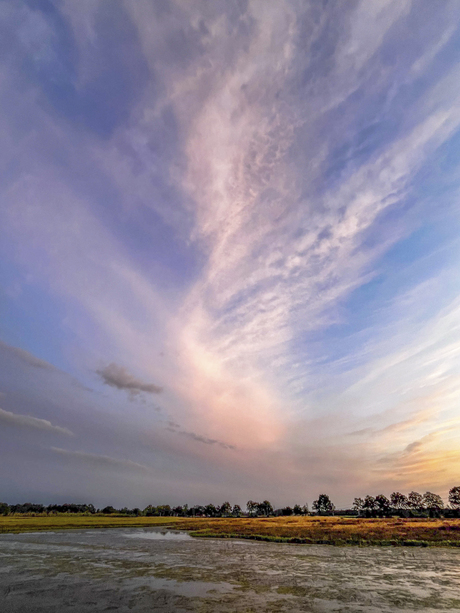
64, 521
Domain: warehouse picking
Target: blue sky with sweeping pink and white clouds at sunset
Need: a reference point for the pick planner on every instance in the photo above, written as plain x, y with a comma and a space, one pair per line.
229, 250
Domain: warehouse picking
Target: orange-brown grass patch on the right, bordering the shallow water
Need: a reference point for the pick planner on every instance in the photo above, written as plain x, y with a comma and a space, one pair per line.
332, 530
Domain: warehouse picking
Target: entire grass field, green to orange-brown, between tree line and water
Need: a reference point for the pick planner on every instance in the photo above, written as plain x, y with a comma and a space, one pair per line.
319, 530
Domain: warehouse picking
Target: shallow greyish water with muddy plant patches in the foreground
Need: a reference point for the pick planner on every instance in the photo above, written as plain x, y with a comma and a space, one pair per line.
142, 570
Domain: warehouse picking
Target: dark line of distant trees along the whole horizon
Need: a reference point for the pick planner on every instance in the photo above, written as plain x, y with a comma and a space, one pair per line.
414, 504
